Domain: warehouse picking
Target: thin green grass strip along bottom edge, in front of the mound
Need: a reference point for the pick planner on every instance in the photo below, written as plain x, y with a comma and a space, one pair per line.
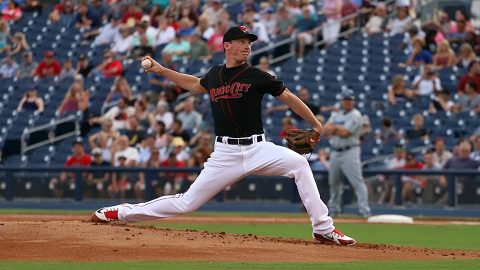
441, 264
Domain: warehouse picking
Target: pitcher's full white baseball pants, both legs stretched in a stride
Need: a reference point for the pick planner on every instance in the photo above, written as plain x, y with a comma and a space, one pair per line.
228, 164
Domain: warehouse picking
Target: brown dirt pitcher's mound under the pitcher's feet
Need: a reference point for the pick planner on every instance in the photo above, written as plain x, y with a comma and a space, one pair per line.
48, 238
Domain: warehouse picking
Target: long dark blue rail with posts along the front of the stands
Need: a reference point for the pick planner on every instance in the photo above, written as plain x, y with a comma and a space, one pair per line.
396, 177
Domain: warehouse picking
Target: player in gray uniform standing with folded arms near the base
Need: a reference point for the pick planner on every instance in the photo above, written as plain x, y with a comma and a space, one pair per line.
343, 129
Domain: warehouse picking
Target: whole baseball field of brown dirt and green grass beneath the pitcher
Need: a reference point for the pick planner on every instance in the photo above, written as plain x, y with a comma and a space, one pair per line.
34, 239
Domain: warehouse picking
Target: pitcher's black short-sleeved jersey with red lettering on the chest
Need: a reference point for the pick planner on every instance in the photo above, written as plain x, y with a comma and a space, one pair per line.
236, 97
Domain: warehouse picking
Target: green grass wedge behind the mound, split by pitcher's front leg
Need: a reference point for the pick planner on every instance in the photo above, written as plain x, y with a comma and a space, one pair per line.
433, 236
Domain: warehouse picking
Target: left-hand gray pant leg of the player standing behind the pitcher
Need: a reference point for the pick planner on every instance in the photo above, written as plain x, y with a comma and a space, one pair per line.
335, 178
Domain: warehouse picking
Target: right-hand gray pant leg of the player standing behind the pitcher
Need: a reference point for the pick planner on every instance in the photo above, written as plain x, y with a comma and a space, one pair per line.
352, 168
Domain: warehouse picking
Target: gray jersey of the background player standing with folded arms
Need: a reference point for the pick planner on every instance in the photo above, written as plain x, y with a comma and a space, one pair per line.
351, 121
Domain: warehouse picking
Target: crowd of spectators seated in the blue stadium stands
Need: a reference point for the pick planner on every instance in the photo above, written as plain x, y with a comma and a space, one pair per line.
156, 130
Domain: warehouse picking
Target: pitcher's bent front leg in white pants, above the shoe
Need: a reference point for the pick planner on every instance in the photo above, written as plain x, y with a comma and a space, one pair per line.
285, 162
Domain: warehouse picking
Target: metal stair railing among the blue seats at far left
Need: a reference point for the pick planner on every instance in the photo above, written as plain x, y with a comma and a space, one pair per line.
52, 138
